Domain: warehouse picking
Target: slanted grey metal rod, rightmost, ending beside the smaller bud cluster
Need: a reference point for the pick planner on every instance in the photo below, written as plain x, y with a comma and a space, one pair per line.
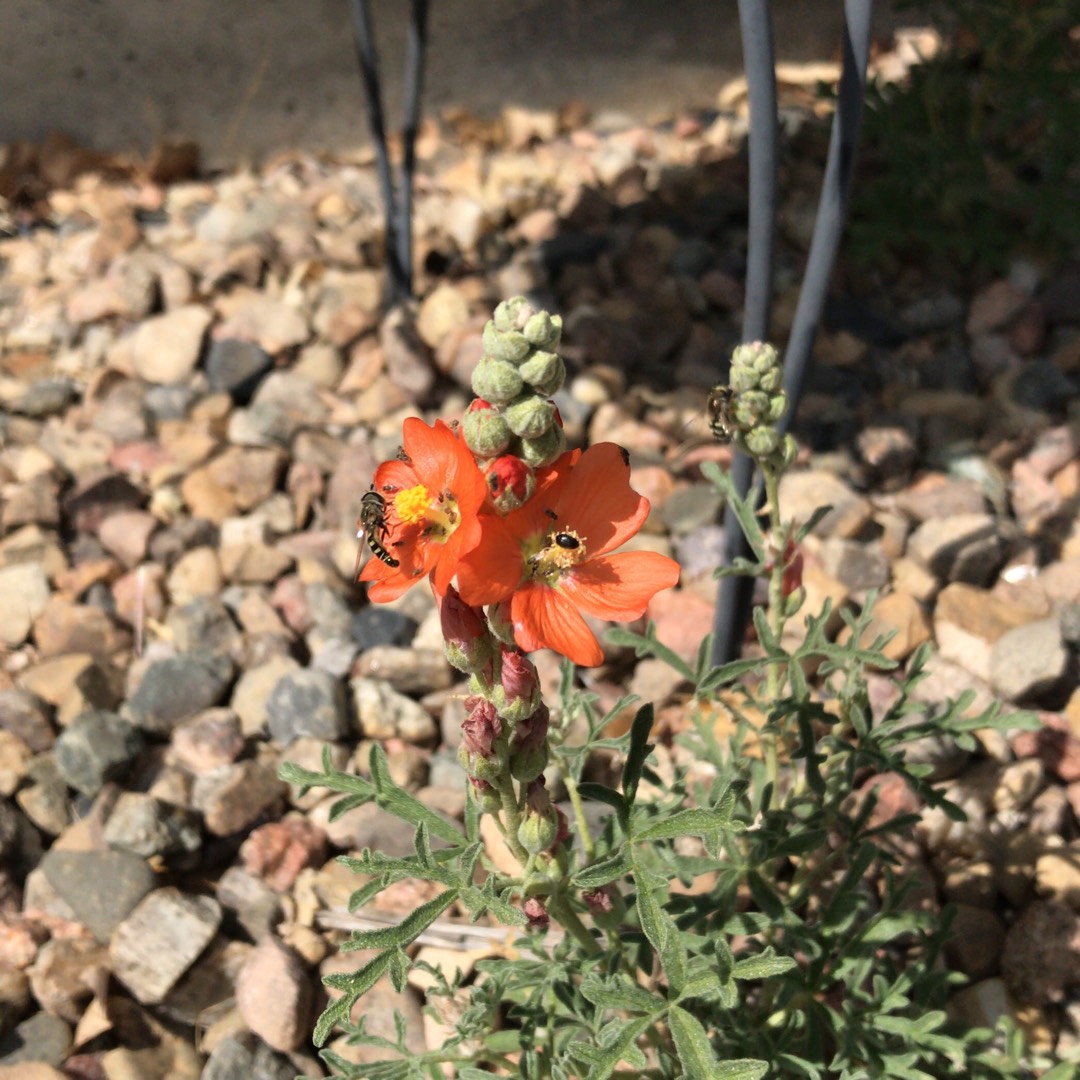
833, 206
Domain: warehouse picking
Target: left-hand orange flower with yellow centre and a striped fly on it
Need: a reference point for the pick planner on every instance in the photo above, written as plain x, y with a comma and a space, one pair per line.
431, 501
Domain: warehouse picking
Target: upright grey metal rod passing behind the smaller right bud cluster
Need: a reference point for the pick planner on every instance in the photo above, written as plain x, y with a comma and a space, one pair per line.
735, 596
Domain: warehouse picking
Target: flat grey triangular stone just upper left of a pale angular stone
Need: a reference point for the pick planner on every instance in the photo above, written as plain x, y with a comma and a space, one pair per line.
101, 887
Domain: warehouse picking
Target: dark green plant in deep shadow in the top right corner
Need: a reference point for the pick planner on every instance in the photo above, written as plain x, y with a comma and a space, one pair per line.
976, 156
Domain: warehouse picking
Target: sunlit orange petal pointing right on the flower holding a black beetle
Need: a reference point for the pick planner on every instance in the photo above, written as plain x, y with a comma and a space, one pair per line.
619, 587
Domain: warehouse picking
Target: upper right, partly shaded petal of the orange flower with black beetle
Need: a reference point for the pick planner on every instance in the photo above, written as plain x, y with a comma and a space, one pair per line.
598, 502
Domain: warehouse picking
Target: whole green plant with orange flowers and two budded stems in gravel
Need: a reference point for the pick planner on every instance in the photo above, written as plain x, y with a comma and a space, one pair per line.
746, 920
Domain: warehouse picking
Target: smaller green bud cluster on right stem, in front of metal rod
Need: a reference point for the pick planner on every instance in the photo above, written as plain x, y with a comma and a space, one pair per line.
759, 404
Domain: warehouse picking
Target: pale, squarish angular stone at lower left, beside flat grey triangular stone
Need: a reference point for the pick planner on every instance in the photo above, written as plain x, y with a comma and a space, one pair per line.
160, 941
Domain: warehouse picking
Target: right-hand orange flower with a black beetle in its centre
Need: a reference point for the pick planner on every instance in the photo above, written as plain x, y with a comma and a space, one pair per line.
551, 557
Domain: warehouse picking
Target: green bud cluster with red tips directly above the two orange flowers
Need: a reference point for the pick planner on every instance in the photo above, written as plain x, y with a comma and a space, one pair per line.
514, 427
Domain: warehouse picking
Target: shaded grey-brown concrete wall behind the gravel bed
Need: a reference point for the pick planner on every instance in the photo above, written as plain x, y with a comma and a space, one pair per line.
248, 77
